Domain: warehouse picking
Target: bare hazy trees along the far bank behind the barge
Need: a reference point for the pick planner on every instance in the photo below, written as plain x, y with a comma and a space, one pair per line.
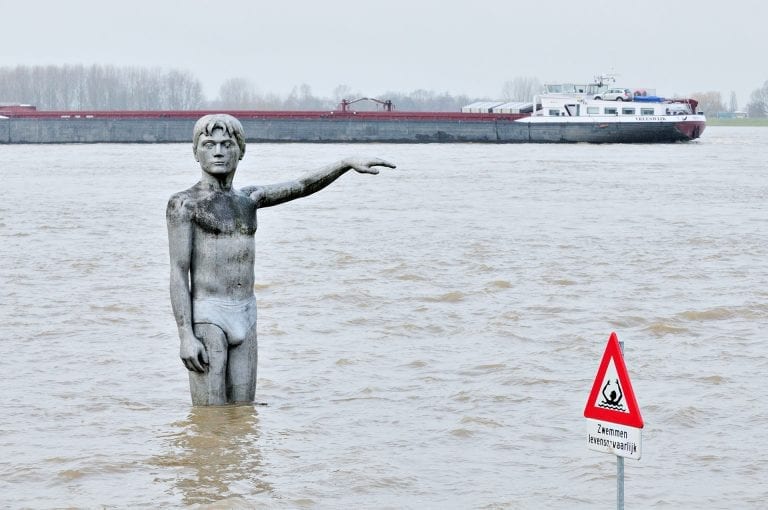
106, 87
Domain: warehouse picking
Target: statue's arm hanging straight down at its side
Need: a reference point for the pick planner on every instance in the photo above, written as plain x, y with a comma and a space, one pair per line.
179, 222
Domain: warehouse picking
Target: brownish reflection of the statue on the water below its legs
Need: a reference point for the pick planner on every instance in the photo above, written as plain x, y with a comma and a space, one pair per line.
216, 455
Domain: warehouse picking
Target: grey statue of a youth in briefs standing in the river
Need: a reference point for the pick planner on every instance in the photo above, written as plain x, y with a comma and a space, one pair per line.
211, 229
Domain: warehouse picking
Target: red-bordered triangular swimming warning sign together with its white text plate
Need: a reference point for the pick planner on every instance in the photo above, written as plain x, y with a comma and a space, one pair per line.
614, 423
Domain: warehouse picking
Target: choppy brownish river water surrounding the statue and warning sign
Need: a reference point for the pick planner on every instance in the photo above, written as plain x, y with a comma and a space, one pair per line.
428, 336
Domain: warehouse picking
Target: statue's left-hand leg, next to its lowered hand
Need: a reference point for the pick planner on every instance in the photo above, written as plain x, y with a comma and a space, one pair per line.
209, 388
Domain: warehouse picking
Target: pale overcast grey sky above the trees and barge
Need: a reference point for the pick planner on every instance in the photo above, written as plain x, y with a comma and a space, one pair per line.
460, 47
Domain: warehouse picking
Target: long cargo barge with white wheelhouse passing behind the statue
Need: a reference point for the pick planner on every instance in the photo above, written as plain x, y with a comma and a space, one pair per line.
557, 118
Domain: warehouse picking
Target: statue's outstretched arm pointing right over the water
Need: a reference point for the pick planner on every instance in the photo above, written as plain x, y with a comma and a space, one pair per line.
274, 194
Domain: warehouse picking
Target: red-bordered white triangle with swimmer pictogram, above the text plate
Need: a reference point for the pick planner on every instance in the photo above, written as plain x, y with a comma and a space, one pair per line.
612, 398
